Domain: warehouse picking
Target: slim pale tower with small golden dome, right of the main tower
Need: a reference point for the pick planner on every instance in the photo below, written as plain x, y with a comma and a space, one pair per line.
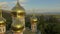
34, 22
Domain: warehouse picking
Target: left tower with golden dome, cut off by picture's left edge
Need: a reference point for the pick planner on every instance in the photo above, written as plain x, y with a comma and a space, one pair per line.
2, 23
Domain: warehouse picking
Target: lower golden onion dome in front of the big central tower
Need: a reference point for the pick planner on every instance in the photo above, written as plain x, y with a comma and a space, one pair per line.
17, 26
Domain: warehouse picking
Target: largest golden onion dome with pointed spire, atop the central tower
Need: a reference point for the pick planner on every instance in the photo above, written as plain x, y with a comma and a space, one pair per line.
18, 10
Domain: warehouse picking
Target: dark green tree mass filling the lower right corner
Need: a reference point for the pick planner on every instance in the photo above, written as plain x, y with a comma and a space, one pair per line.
50, 27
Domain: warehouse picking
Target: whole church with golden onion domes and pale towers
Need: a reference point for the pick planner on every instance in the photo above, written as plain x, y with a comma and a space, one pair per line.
18, 15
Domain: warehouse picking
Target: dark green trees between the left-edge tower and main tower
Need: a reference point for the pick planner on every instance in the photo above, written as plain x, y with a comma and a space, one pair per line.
8, 18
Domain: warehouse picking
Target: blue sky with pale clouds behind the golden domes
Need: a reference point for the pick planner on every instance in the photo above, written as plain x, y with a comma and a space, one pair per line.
37, 5
